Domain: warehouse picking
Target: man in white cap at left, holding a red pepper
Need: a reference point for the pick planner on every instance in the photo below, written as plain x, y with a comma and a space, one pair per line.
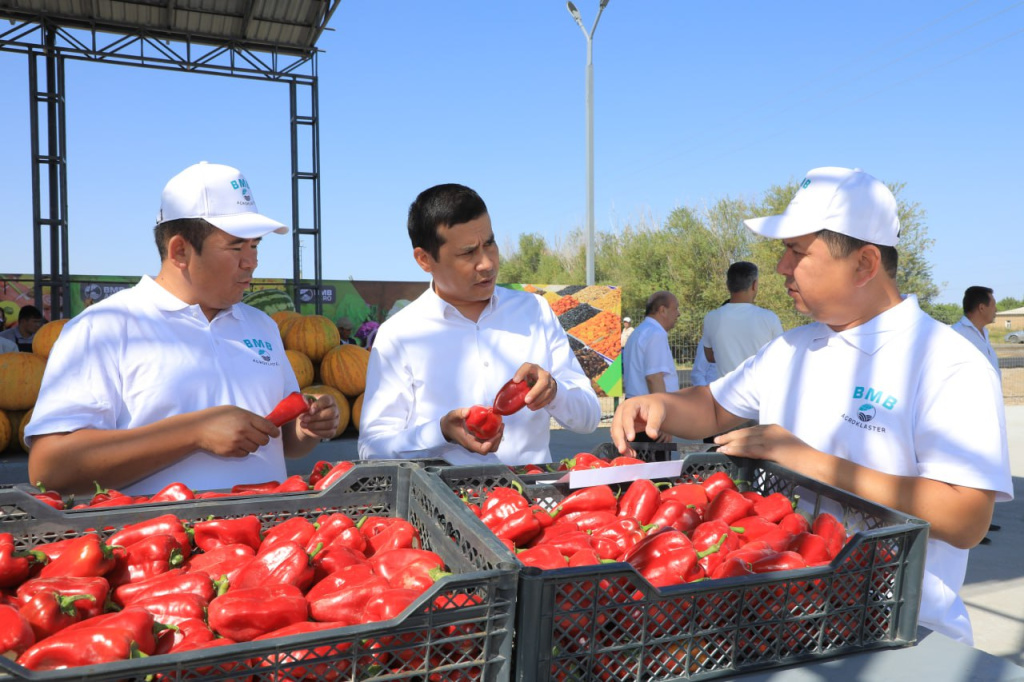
169, 381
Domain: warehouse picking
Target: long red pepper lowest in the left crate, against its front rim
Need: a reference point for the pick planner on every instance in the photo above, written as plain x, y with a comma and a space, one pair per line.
83, 648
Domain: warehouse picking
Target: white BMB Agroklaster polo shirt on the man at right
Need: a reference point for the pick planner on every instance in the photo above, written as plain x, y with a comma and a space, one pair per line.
898, 395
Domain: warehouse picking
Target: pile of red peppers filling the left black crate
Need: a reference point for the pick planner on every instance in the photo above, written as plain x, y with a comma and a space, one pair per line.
163, 586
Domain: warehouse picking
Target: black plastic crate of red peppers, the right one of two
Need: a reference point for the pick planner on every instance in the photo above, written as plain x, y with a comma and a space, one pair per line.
596, 623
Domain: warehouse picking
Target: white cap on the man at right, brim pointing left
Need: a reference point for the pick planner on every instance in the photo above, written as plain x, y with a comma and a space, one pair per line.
845, 201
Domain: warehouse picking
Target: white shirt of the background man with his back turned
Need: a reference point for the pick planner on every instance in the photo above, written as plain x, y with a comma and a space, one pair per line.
737, 331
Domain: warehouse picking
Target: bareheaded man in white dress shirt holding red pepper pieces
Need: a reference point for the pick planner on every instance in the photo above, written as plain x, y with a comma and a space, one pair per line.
459, 343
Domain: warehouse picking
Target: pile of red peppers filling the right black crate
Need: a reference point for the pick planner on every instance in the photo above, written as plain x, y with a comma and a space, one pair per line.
670, 534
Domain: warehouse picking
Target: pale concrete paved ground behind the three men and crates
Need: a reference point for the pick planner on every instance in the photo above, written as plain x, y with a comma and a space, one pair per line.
994, 589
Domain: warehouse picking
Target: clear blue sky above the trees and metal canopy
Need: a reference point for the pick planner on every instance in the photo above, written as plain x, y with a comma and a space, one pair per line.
694, 102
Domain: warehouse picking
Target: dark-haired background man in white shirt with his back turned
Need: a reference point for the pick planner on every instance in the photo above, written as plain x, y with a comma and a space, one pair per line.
739, 329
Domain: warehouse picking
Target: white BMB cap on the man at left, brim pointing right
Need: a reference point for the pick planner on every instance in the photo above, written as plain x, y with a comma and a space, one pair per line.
221, 196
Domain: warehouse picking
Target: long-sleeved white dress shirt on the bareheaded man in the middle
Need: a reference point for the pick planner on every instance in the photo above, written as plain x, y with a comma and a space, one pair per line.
430, 359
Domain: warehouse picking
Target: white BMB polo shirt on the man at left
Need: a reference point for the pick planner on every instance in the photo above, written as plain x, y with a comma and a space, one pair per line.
143, 356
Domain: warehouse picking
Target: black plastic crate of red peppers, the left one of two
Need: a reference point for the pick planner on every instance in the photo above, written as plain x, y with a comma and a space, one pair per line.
440, 637
